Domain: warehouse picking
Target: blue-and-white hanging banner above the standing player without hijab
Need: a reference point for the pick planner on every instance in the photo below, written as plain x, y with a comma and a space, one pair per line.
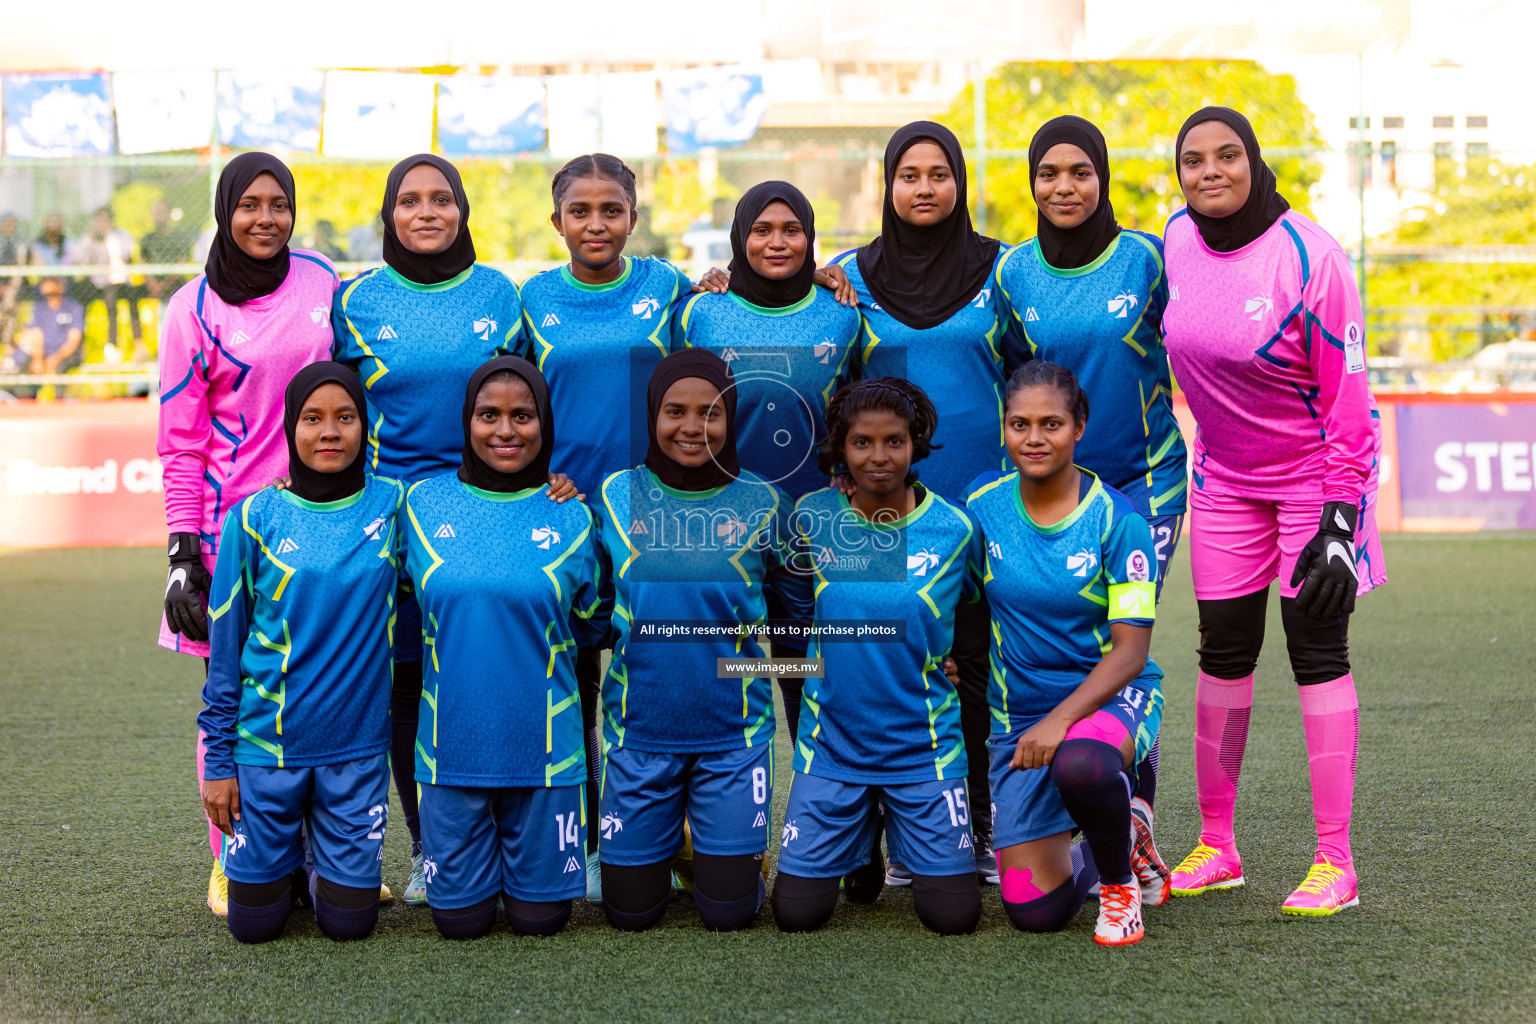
491, 116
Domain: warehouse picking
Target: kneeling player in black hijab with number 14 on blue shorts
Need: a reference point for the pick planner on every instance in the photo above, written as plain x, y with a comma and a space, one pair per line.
509, 584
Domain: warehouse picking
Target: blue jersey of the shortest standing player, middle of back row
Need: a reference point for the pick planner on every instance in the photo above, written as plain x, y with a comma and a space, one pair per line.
787, 363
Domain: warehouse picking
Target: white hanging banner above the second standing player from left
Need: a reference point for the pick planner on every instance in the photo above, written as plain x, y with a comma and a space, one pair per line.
377, 116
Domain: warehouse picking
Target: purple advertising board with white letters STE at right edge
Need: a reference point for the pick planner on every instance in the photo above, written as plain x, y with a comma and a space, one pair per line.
1468, 466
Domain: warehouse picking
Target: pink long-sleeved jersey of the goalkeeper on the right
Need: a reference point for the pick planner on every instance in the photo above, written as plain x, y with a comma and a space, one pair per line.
1268, 348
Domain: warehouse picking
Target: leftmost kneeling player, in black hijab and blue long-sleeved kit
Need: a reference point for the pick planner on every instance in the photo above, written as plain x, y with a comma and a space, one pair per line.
297, 695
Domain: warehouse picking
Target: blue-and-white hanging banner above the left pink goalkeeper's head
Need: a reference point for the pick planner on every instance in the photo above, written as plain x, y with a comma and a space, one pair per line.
271, 110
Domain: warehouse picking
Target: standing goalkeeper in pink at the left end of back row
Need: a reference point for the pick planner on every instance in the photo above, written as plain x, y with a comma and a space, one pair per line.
233, 340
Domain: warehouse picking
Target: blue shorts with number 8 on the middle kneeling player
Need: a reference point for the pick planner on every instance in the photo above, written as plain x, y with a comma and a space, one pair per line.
727, 799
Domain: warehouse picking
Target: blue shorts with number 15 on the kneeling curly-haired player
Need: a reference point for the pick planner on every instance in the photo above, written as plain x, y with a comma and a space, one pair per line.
829, 828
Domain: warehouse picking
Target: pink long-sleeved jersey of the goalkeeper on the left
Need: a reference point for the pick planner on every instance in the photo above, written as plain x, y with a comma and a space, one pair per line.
223, 371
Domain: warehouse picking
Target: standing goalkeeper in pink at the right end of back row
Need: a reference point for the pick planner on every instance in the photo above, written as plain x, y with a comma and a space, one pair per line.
1266, 339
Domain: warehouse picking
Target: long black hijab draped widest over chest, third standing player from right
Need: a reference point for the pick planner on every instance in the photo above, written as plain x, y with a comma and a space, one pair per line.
925, 276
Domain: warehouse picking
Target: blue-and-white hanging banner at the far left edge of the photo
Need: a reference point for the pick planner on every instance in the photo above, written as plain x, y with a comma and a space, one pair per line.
58, 116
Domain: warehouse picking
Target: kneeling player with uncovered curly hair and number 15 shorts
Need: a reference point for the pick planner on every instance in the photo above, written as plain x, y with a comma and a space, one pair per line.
882, 725
